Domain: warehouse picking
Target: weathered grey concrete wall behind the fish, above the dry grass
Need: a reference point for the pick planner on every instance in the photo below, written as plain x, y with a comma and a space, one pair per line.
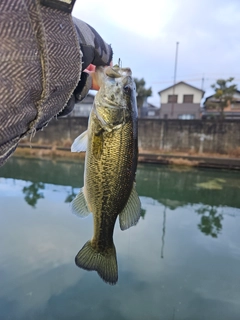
157, 135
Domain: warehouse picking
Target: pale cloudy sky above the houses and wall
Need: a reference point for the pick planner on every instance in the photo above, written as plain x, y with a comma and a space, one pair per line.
144, 36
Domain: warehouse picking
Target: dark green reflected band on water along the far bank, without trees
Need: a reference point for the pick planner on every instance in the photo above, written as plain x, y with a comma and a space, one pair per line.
168, 186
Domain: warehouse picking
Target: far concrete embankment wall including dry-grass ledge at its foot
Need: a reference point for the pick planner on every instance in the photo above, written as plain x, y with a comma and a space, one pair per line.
178, 142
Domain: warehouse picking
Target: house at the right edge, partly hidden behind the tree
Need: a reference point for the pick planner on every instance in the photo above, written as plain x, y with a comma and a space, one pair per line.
232, 111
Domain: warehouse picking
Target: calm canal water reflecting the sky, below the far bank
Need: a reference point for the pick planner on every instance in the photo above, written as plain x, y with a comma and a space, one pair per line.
181, 262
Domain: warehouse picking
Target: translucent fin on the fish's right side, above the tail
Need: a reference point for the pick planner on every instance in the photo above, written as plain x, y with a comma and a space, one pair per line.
131, 212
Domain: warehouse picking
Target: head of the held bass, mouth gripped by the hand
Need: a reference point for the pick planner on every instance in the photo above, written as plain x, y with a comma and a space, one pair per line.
115, 102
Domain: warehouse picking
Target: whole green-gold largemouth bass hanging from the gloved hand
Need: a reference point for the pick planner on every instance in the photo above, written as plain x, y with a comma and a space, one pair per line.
109, 191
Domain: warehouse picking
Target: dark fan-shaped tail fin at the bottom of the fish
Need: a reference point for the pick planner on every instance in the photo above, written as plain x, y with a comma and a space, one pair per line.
104, 263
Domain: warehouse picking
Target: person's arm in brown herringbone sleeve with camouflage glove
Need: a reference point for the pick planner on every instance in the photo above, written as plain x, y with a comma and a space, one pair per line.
42, 55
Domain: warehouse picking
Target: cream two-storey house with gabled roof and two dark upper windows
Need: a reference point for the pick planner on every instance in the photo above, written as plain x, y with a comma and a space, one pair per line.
181, 101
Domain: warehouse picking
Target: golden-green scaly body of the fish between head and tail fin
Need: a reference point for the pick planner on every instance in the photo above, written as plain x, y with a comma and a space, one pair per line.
108, 193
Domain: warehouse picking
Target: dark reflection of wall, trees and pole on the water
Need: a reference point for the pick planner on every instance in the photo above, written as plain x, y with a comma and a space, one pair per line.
169, 187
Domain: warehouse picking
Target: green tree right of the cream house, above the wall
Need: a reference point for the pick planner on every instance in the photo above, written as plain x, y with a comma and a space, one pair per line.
223, 95
